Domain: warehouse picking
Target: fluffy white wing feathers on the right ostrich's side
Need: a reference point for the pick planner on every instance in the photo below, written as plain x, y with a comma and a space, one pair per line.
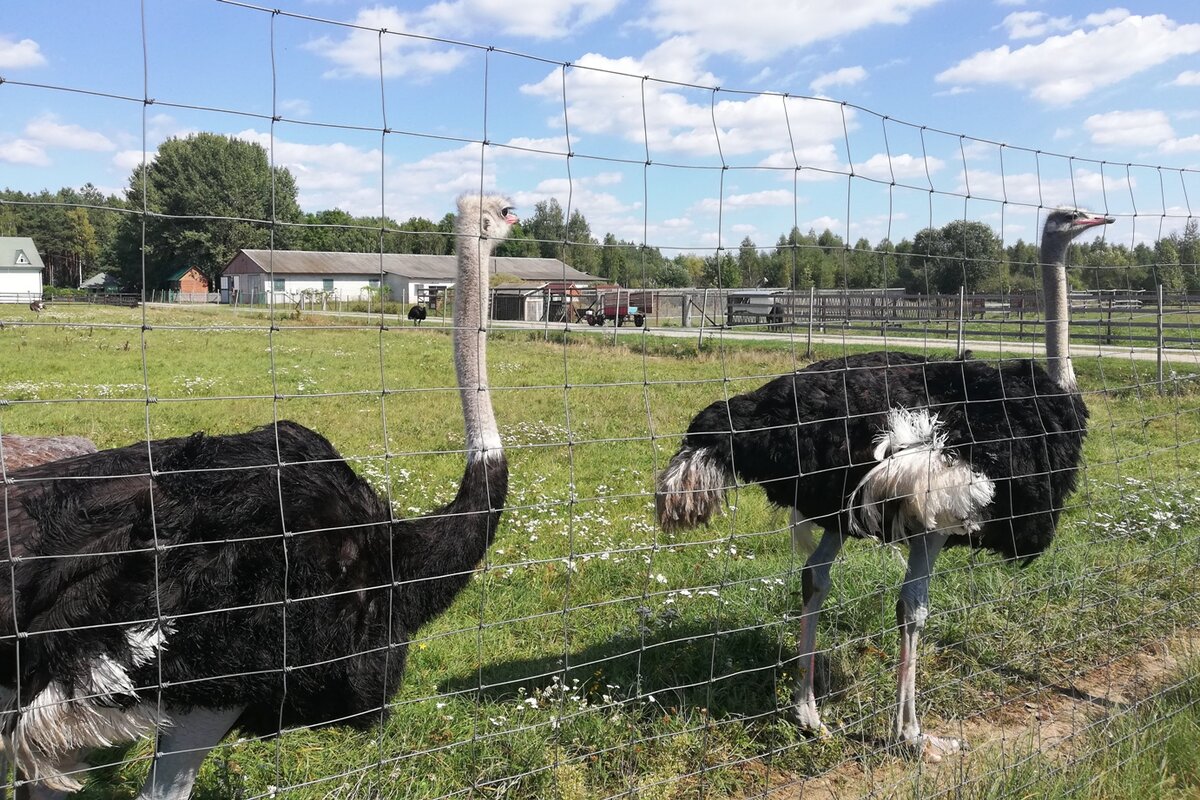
929, 488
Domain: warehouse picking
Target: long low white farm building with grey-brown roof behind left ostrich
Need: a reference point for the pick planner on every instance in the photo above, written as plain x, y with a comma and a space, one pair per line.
284, 276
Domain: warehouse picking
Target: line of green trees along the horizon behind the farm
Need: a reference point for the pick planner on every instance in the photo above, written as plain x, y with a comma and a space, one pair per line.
208, 196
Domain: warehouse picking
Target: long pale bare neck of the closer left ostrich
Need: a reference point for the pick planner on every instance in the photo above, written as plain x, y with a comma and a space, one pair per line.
471, 342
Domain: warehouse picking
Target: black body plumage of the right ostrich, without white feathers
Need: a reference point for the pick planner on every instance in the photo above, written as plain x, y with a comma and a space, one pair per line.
808, 437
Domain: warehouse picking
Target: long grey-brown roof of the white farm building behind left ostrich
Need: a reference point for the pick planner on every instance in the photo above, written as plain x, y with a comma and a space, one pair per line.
409, 266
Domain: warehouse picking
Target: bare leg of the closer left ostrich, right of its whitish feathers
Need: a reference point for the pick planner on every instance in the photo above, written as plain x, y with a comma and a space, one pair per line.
182, 749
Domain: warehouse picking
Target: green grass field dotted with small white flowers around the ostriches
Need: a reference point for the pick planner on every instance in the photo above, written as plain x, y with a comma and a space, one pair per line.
593, 655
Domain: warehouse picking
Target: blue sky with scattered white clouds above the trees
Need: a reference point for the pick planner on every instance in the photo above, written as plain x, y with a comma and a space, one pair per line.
685, 125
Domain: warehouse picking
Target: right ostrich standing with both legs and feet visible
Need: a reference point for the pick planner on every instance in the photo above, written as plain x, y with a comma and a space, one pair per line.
901, 448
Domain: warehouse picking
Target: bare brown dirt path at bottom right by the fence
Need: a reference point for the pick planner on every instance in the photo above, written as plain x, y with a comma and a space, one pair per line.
1054, 720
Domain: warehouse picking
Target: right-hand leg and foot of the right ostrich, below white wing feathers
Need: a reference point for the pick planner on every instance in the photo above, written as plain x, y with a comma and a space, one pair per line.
913, 611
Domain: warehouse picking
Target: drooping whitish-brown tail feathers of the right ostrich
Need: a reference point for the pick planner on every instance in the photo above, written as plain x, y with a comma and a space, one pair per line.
692, 489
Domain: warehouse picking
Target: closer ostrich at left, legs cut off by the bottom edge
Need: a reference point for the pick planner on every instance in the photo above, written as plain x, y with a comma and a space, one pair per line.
200, 584
